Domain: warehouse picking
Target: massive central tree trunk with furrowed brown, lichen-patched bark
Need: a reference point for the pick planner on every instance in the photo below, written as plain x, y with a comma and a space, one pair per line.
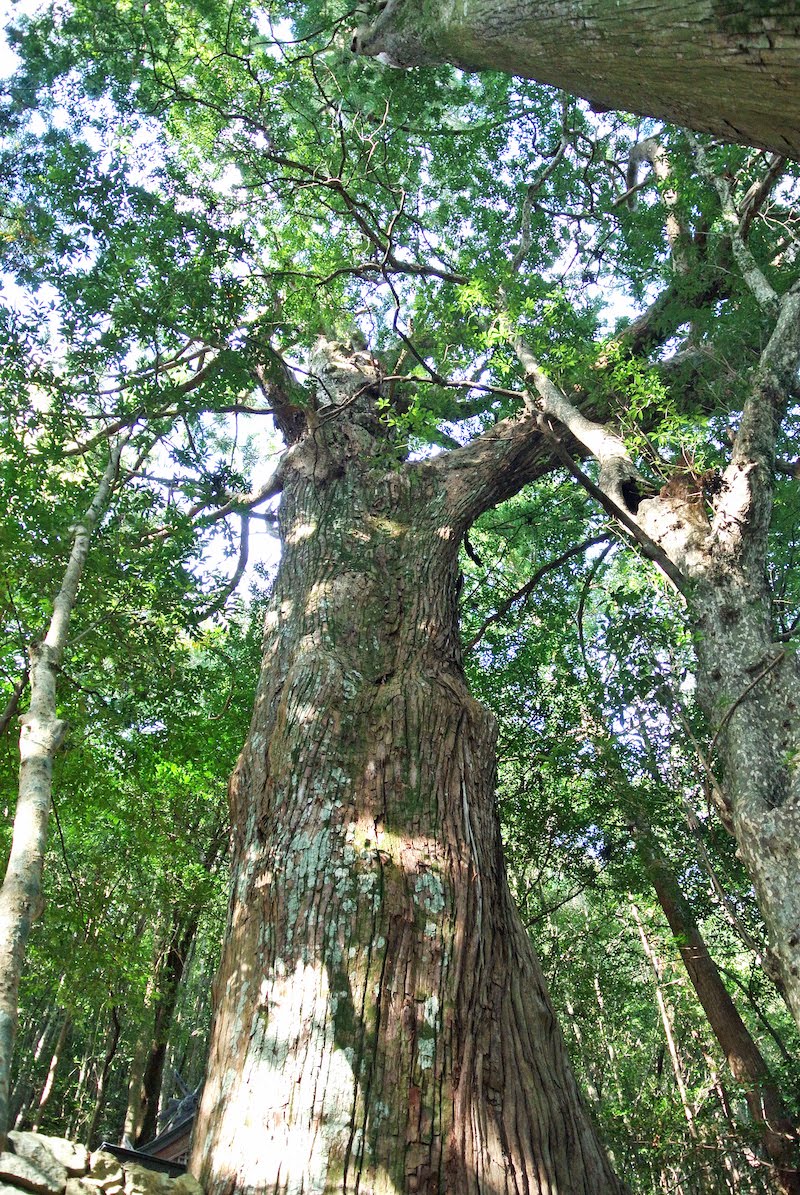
382, 1024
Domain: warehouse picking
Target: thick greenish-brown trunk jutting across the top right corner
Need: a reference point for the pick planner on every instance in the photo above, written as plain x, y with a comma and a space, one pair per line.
728, 68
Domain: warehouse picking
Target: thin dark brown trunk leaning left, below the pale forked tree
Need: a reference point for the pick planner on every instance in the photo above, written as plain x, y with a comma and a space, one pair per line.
747, 1064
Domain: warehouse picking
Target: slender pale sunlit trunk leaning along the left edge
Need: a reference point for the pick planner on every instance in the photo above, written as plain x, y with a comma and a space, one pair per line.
42, 732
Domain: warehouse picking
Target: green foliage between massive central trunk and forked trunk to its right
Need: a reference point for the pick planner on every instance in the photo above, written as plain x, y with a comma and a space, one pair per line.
589, 679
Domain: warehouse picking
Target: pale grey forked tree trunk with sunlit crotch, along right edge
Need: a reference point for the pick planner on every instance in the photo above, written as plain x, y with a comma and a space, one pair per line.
748, 684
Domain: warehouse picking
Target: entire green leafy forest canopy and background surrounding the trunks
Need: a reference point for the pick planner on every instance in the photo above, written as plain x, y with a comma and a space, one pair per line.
192, 200
